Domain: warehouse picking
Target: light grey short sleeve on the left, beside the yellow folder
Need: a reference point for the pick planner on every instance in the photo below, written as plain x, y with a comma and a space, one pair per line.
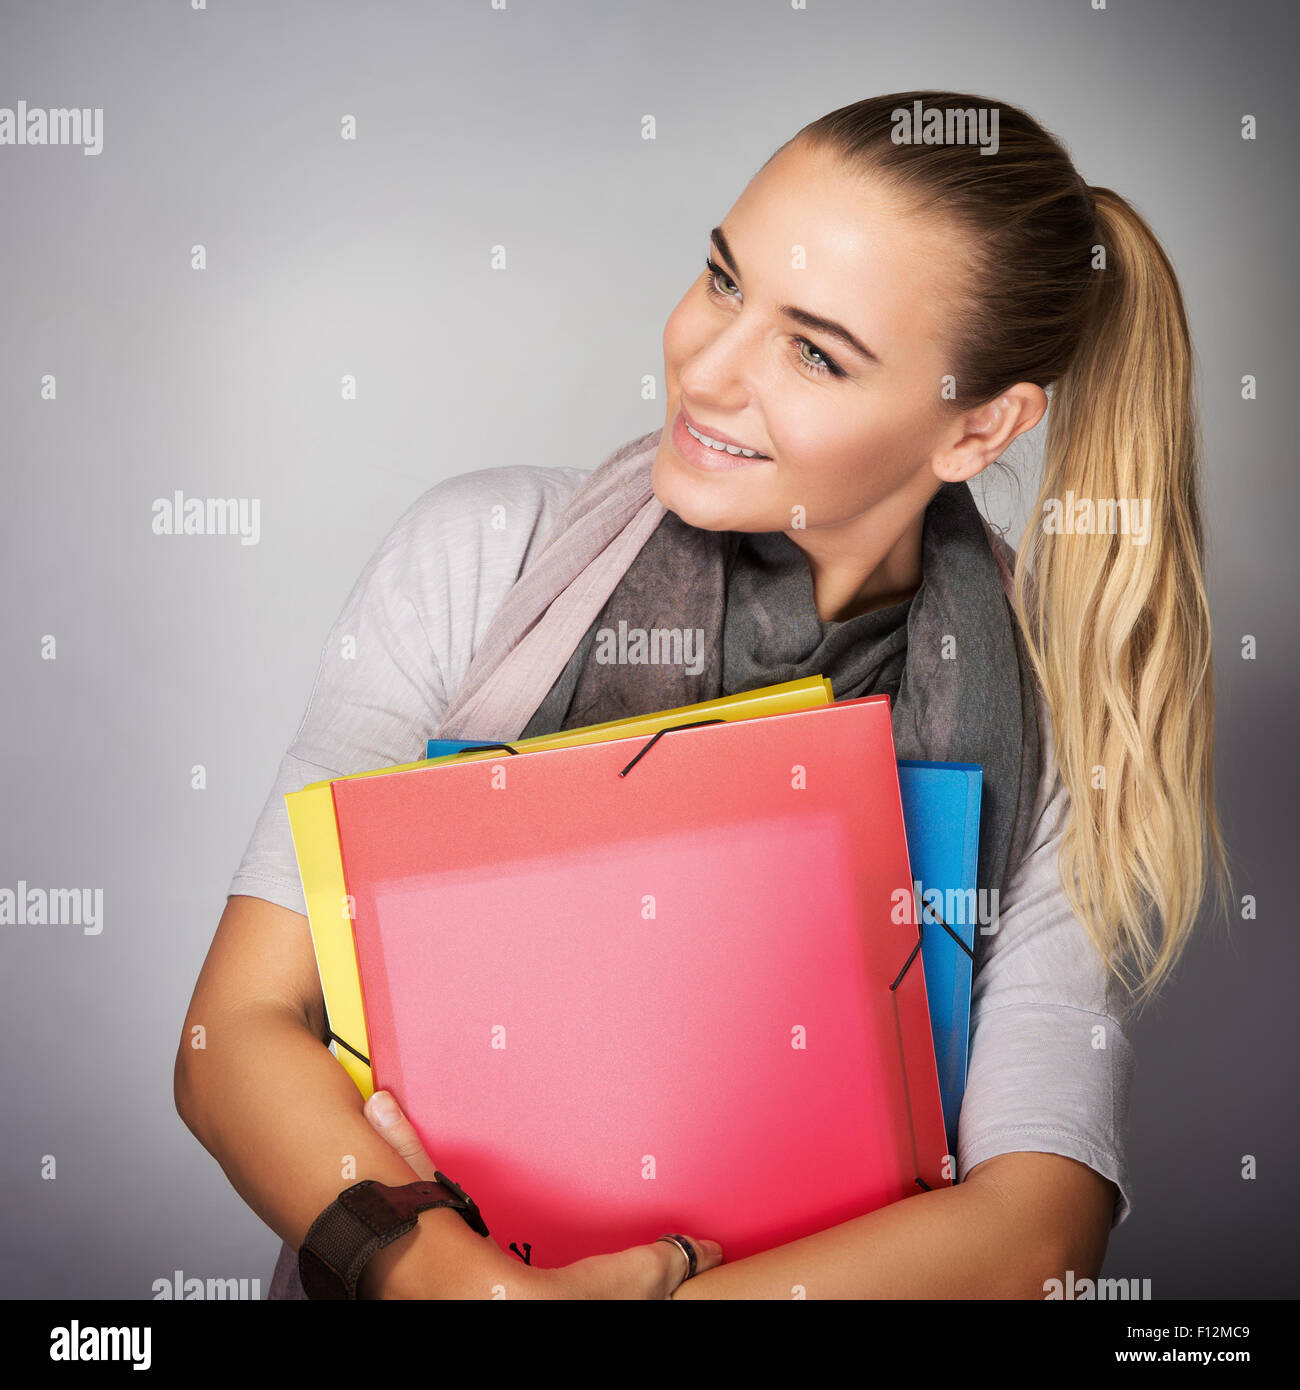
405, 637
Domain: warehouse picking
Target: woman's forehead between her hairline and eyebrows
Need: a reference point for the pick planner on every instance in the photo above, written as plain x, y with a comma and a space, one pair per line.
870, 259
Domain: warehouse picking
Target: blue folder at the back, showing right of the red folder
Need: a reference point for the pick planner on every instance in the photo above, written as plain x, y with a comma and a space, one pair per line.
941, 814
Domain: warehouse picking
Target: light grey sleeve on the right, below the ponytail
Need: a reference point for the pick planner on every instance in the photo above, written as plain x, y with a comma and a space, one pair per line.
1050, 1065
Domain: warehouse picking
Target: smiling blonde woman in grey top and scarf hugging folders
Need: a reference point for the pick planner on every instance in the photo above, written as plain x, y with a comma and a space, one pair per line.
881, 316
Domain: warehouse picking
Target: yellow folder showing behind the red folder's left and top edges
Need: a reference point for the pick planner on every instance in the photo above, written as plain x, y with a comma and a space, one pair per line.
320, 864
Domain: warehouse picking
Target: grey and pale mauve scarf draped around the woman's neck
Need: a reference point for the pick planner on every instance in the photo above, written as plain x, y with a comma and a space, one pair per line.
629, 610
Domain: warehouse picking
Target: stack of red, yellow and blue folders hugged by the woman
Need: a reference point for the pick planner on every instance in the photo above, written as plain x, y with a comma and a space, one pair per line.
664, 974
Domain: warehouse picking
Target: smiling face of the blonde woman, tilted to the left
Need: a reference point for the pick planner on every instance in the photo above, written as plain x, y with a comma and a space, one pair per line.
849, 439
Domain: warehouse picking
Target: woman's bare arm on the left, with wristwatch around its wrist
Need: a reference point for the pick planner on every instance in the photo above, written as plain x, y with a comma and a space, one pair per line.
269, 1102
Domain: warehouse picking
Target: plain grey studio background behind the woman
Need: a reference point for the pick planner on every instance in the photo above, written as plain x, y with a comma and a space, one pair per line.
521, 127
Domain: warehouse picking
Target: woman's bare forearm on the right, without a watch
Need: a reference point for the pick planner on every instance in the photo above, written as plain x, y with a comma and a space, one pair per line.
1016, 1223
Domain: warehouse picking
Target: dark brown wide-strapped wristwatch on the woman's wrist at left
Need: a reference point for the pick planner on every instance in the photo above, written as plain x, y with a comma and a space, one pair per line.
362, 1221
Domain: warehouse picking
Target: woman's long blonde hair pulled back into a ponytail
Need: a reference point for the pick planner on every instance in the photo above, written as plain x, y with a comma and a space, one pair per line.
1071, 291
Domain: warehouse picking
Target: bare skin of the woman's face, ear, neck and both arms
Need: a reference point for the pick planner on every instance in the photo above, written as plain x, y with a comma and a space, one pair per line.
861, 455
